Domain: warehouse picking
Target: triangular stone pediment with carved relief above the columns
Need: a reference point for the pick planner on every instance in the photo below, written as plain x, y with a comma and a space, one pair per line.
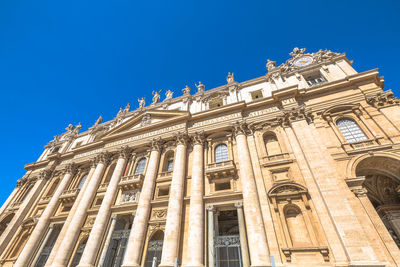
146, 120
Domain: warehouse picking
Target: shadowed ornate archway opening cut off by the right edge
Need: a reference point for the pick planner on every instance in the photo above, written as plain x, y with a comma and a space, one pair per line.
382, 181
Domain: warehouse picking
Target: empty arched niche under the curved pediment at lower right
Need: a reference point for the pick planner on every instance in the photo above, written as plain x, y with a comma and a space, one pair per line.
297, 228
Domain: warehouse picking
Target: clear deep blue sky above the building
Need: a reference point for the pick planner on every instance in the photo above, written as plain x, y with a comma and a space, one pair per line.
66, 62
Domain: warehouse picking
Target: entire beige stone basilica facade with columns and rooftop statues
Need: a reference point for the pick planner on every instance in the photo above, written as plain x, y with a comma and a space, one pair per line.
299, 167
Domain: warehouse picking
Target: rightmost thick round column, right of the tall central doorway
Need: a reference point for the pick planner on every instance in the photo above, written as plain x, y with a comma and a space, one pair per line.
258, 246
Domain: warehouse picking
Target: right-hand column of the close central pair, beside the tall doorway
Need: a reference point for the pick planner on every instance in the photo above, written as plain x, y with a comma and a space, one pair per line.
196, 216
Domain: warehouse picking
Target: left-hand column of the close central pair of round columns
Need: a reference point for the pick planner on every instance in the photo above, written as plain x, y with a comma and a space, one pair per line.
175, 203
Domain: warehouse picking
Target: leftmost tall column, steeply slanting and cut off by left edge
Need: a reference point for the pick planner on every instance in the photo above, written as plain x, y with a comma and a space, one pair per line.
16, 221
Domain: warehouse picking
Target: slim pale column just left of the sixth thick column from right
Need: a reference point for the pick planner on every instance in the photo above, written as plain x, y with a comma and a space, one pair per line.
71, 214
